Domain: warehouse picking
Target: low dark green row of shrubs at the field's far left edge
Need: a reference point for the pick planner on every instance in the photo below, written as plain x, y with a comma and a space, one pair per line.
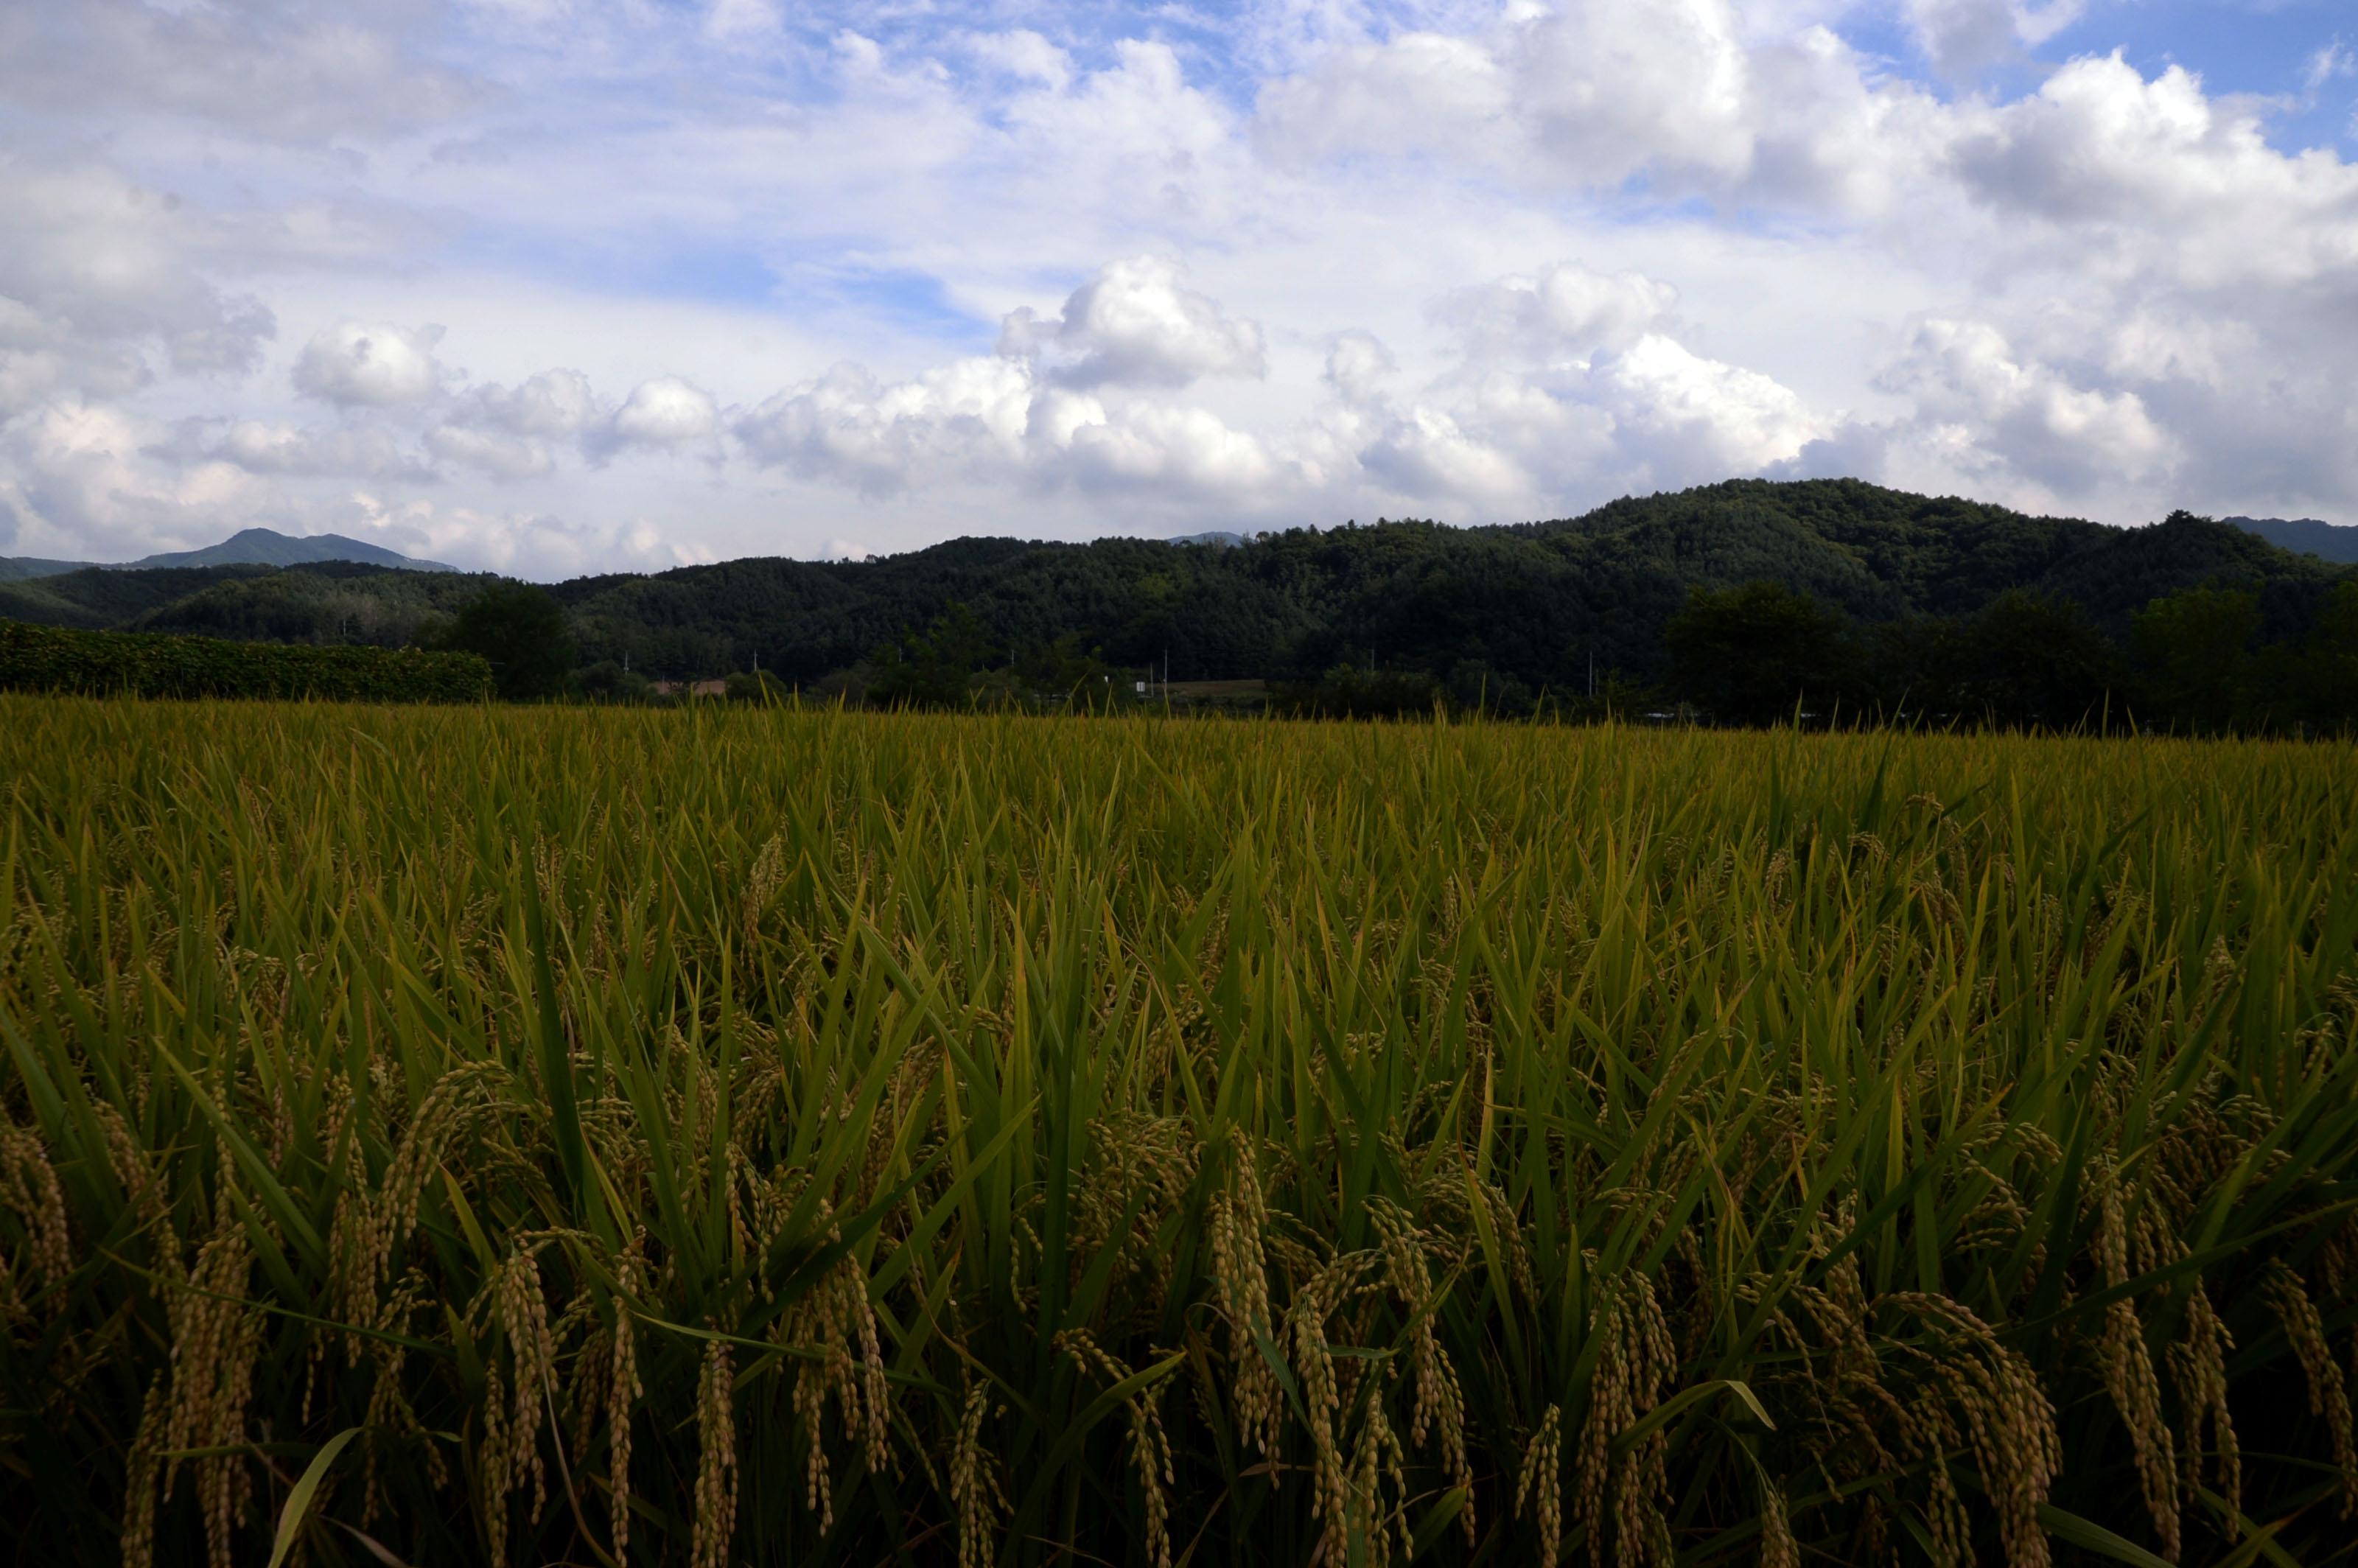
157, 666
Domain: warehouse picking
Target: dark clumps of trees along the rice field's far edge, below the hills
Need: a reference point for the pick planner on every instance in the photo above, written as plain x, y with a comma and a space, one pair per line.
1758, 654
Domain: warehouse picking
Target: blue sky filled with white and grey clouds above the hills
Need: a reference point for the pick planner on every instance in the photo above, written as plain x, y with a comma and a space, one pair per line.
560, 286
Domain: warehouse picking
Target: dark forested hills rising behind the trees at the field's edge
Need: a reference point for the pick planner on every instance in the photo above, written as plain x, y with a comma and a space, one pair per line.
1527, 605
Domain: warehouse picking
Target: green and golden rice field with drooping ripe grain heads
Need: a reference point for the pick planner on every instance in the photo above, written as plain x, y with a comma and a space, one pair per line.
801, 1138
